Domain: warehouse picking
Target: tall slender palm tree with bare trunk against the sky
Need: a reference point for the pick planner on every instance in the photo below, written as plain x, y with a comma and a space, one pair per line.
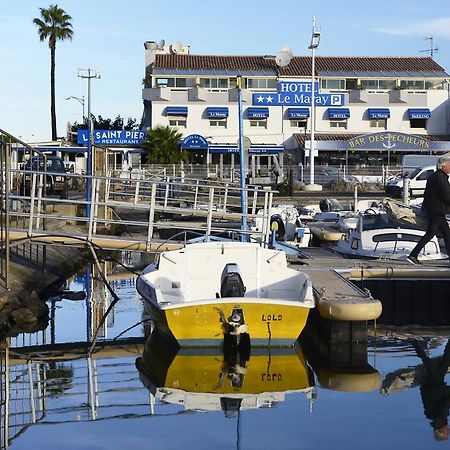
54, 24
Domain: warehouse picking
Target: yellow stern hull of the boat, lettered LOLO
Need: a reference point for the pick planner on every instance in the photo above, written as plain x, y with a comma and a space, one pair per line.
203, 324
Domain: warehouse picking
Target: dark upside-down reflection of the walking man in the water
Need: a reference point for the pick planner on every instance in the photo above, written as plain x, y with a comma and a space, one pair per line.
434, 391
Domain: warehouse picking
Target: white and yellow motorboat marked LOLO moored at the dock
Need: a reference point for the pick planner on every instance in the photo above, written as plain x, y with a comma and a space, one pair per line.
209, 291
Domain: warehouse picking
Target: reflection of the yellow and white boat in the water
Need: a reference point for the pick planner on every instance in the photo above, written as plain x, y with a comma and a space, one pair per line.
207, 379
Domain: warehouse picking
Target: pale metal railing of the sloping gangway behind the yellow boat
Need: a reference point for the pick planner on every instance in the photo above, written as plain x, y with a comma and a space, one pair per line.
148, 209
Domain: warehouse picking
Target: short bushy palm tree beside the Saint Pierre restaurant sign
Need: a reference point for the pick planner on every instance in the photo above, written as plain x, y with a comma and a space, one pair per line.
163, 146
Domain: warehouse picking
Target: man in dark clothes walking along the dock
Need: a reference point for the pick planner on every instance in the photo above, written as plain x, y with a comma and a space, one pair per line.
436, 203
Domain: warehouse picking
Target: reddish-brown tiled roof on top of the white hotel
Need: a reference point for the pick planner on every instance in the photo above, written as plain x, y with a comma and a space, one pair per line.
299, 65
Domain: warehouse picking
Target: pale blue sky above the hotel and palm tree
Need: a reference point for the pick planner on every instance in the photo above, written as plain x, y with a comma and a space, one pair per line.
109, 36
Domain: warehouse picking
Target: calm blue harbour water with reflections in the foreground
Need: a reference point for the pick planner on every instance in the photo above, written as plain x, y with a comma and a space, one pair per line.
301, 400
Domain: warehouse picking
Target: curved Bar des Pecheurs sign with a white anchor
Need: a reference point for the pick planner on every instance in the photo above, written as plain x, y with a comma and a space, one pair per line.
389, 140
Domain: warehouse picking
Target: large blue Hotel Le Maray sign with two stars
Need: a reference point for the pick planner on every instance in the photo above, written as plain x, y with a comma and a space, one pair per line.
297, 93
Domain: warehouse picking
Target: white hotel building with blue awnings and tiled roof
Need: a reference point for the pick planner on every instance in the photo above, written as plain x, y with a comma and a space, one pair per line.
389, 105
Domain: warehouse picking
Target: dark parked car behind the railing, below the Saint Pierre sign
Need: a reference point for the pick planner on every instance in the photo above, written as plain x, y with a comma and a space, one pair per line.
56, 182
